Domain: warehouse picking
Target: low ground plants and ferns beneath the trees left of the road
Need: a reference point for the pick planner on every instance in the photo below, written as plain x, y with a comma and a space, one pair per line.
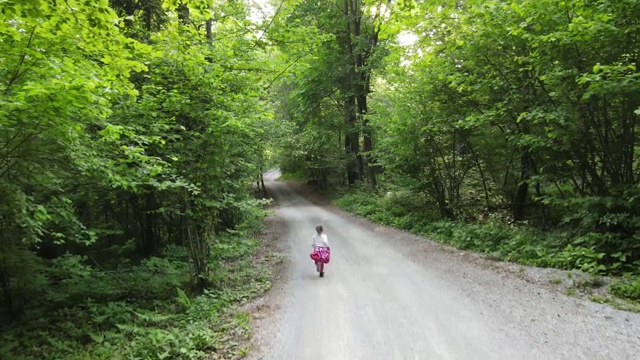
145, 311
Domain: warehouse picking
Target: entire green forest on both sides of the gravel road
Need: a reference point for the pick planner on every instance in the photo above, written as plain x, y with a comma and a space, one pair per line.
132, 135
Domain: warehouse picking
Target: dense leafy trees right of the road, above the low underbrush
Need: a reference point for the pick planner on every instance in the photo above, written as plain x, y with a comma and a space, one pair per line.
528, 105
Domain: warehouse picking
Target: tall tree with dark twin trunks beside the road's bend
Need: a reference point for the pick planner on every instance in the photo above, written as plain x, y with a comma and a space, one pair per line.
347, 50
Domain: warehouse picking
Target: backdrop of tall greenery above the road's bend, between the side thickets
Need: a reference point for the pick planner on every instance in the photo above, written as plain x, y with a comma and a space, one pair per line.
332, 49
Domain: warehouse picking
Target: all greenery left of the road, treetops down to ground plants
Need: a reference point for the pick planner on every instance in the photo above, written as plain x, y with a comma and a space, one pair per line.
130, 134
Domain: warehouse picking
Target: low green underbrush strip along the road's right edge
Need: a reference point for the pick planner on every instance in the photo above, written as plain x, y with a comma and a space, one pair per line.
568, 250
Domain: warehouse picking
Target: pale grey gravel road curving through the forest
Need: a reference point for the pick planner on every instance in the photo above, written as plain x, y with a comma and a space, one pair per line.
390, 295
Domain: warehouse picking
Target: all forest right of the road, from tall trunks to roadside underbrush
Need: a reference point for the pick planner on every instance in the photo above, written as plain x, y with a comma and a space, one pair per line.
503, 127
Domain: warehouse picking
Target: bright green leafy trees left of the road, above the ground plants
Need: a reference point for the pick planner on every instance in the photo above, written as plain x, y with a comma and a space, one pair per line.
140, 131
